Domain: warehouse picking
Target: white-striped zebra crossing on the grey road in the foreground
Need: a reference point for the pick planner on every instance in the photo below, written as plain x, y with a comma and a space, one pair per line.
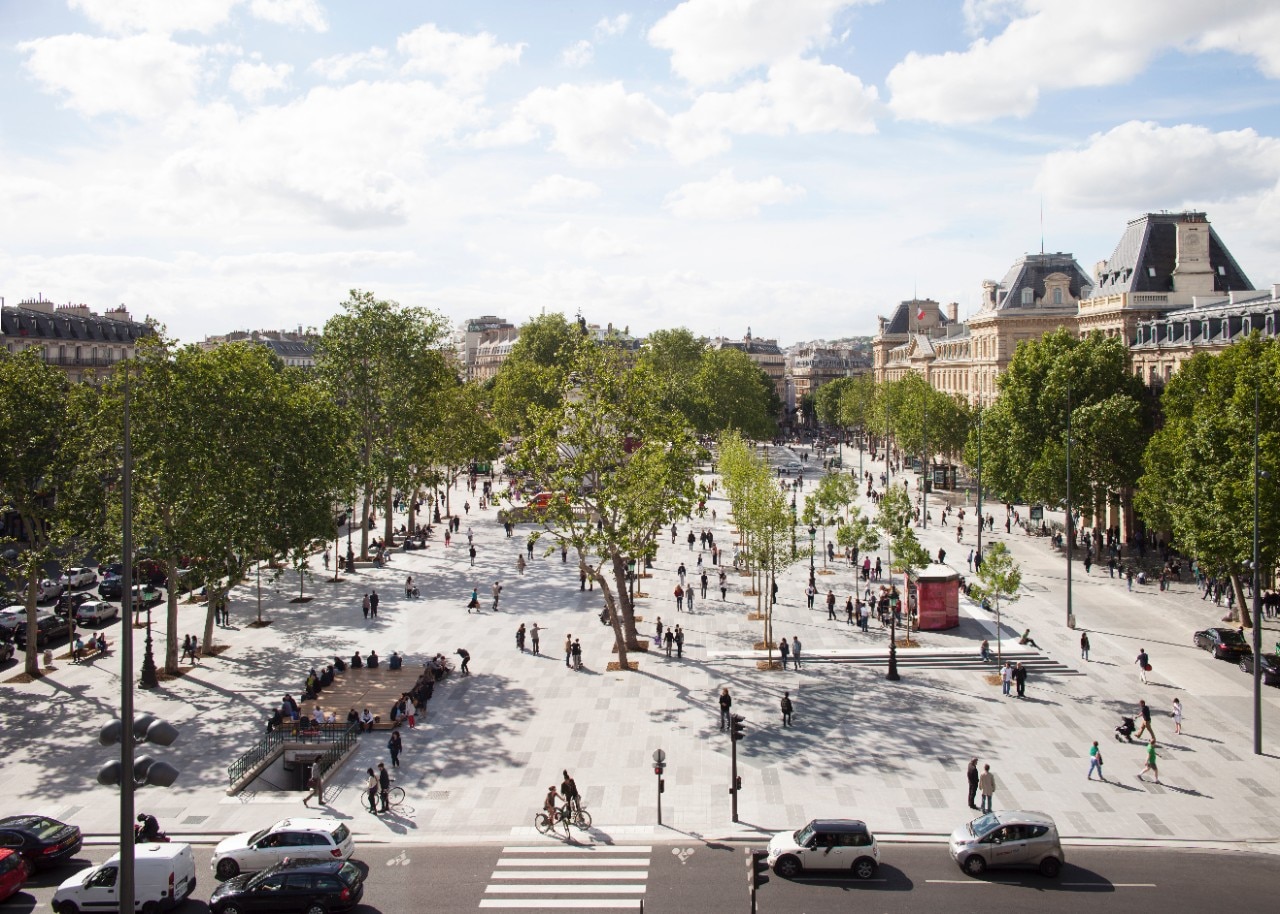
587, 878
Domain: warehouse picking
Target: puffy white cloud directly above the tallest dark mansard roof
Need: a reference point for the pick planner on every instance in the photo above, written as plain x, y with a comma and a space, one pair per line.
1142, 166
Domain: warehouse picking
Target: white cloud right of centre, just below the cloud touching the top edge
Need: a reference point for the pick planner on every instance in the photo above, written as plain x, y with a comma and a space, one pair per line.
802, 97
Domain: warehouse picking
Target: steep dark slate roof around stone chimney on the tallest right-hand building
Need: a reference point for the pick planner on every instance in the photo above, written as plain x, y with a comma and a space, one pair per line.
1148, 254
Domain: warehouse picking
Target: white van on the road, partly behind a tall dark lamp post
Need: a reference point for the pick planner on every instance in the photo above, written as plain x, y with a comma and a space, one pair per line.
164, 875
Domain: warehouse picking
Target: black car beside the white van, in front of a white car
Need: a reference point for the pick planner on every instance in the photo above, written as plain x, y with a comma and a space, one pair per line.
313, 886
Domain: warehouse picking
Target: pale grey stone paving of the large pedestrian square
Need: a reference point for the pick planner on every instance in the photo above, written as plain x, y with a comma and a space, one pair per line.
890, 753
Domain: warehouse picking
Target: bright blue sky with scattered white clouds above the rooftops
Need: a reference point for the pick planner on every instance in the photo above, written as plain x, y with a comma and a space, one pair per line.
793, 167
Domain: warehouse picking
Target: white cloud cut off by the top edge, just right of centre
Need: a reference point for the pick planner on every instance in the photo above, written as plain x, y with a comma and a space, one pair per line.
712, 42
